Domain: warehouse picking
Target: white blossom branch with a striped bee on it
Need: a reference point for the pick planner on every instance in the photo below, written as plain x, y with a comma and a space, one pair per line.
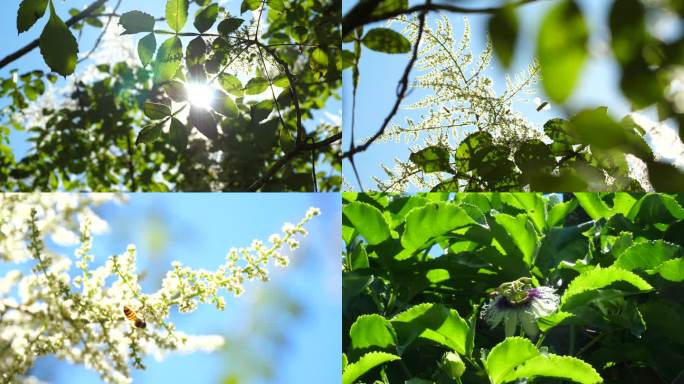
78, 317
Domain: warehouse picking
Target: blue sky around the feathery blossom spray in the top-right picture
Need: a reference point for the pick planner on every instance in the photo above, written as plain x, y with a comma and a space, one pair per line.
380, 73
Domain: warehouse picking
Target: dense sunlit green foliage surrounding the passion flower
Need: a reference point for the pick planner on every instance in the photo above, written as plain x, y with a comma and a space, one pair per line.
417, 269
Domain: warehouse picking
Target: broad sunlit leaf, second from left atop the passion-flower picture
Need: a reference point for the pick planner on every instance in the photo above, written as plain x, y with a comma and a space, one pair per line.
427, 223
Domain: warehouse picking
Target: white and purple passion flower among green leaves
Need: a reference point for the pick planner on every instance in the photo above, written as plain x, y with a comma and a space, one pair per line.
520, 303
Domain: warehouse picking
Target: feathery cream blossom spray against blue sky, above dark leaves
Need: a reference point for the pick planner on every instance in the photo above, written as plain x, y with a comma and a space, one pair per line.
462, 99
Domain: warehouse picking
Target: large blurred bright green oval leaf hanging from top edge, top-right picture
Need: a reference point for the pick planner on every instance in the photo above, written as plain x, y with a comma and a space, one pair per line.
562, 49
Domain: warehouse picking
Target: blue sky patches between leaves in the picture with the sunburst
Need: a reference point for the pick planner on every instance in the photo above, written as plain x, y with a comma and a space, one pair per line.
34, 60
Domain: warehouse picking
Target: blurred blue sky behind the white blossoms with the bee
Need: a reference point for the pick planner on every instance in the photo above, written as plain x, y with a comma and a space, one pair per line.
198, 229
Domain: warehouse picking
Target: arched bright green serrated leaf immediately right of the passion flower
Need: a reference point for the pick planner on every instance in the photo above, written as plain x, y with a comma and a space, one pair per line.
598, 278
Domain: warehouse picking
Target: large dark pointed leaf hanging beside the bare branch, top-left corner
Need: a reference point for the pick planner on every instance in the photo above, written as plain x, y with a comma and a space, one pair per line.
58, 46
